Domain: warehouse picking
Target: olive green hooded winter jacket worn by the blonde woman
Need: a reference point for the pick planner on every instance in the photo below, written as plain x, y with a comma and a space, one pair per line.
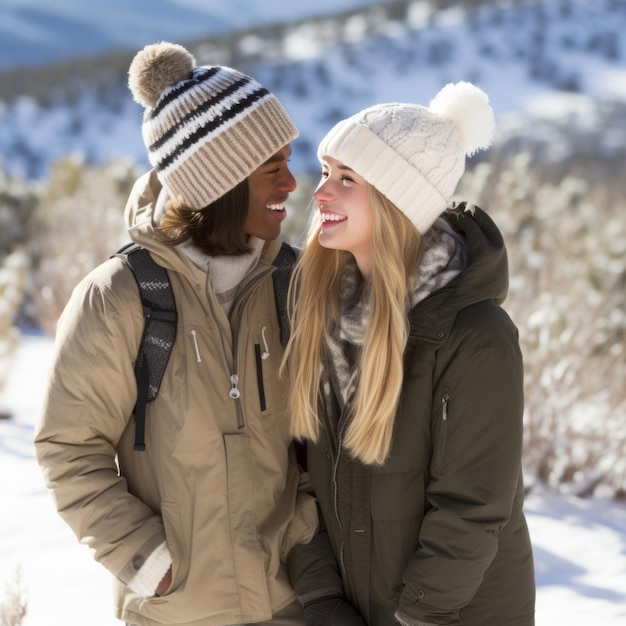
437, 533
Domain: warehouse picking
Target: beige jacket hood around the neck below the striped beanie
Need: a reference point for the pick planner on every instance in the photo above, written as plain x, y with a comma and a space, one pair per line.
138, 216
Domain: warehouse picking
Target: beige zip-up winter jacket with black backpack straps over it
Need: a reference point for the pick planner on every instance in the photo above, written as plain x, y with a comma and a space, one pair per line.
218, 479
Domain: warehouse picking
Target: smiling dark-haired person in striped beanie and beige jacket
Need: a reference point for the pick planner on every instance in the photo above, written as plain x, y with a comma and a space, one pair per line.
196, 528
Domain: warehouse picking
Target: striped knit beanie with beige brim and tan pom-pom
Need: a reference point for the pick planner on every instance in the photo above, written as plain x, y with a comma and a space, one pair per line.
206, 128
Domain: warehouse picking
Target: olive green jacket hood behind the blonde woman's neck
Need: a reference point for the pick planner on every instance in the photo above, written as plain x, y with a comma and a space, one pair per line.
486, 276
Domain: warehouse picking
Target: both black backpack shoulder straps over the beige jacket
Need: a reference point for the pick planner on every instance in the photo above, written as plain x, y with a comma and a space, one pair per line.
159, 331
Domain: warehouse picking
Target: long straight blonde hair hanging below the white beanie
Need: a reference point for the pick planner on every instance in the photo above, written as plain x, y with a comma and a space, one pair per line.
314, 302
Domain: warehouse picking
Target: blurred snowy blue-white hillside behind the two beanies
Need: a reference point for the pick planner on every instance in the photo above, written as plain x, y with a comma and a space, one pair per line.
562, 61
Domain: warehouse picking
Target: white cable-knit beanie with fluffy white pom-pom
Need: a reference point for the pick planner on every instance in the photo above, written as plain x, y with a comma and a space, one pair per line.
415, 155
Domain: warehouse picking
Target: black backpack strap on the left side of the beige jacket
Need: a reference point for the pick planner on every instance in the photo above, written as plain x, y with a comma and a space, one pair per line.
159, 330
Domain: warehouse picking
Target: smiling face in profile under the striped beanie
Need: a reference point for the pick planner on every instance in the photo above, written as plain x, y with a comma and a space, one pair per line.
269, 187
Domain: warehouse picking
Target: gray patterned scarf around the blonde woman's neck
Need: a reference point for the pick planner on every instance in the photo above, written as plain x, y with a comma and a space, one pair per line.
443, 258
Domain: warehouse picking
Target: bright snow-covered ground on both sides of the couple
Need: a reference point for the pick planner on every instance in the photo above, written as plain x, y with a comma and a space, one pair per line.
580, 545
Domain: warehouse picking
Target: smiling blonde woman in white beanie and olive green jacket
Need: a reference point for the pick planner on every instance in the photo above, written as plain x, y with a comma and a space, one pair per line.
406, 381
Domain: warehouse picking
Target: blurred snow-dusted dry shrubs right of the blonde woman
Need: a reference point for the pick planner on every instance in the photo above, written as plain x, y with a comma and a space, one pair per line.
566, 239
